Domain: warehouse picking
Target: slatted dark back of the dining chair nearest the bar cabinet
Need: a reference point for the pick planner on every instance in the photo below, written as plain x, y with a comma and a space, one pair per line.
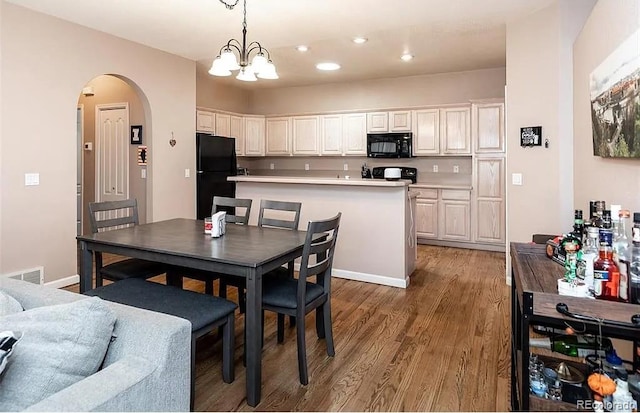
323, 250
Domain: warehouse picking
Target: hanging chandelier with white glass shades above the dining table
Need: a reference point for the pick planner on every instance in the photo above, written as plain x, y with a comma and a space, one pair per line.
226, 61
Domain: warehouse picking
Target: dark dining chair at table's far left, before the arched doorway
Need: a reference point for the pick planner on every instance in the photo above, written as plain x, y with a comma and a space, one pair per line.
109, 215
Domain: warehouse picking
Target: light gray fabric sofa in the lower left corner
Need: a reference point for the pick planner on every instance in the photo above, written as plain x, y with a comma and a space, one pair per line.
146, 368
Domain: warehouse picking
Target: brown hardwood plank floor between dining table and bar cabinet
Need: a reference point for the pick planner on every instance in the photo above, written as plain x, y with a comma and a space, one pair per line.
442, 344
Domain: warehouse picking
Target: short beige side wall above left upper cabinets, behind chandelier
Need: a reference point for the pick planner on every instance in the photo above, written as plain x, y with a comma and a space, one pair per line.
216, 95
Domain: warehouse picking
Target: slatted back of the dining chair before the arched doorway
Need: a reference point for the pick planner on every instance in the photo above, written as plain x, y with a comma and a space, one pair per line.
108, 215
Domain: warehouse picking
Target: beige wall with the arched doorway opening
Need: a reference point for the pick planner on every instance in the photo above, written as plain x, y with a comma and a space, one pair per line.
45, 64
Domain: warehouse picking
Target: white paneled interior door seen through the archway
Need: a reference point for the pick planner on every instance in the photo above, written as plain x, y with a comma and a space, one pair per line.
112, 152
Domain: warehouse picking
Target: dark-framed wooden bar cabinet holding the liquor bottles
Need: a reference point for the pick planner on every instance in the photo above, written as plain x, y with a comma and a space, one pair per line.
534, 297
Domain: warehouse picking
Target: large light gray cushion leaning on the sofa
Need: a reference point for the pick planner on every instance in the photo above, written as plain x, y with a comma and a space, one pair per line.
61, 345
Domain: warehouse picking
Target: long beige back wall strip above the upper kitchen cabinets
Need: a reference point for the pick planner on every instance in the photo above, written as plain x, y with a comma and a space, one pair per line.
382, 93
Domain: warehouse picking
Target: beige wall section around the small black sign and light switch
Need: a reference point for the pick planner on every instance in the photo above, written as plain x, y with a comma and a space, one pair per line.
539, 93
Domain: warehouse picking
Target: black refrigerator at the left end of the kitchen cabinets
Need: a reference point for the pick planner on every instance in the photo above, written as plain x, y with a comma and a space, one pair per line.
215, 161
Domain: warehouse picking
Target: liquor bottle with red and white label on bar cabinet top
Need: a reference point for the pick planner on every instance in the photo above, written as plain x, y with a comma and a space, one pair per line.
605, 271
